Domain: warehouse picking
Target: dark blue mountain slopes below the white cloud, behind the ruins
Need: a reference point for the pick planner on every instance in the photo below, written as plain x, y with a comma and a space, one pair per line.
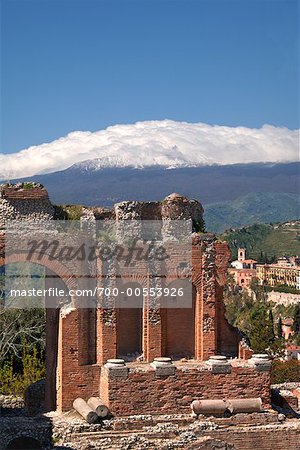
243, 193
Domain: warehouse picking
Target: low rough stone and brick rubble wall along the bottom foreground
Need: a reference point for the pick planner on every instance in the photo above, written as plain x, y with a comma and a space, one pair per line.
165, 432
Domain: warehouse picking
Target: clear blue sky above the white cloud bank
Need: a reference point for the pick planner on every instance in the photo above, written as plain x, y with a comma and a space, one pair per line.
83, 65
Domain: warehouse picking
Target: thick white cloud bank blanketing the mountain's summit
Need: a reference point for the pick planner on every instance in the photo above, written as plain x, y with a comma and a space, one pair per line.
166, 143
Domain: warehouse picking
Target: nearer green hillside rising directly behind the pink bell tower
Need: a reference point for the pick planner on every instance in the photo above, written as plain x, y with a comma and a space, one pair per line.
265, 241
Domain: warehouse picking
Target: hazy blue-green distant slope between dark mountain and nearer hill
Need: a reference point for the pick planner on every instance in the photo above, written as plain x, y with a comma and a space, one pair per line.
250, 209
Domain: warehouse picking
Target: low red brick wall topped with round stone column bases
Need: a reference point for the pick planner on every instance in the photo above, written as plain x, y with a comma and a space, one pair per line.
142, 392
